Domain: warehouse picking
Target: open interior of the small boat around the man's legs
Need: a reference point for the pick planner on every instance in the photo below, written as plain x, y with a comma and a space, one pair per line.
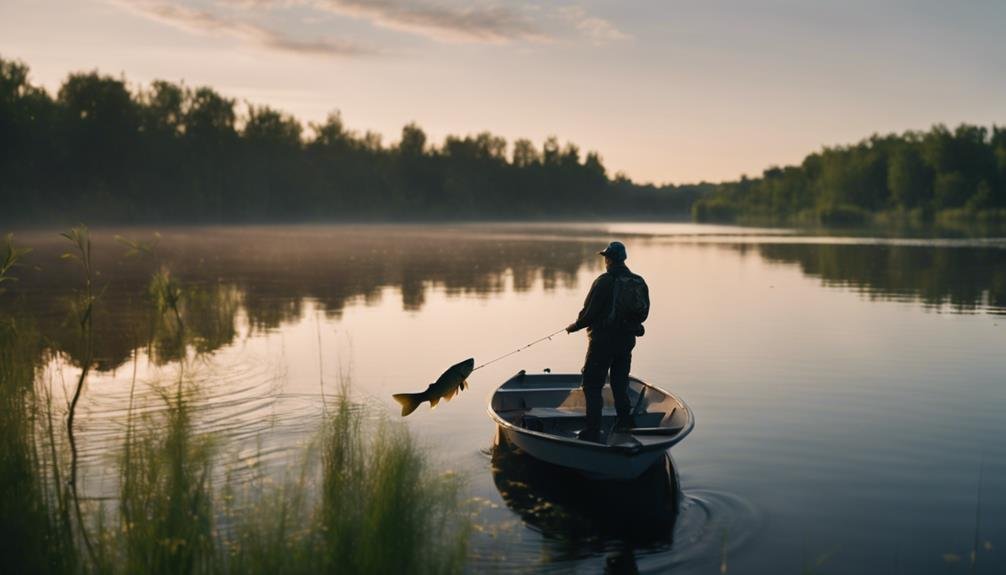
555, 405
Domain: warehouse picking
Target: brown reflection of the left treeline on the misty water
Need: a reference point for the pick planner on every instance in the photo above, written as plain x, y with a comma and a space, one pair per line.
268, 275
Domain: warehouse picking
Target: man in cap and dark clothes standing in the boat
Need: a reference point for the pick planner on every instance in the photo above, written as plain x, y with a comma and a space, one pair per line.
614, 312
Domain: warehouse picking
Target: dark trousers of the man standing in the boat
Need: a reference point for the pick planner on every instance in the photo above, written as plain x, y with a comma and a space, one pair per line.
607, 352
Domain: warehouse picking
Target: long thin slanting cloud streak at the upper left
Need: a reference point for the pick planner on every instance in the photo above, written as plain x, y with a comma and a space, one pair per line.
199, 22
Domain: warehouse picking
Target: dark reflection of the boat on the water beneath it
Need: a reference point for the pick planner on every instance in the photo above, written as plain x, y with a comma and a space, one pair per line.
579, 518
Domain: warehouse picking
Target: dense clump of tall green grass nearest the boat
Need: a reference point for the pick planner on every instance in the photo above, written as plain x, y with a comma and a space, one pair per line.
384, 509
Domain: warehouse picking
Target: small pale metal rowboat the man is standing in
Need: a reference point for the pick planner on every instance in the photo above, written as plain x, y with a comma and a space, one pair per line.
543, 414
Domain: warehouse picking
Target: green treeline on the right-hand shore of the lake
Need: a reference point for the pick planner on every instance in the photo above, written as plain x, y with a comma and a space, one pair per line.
918, 175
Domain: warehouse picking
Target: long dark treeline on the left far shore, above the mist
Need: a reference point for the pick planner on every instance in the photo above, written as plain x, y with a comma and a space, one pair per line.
100, 151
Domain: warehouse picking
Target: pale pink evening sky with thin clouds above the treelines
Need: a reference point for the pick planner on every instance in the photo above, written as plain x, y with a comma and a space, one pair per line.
665, 91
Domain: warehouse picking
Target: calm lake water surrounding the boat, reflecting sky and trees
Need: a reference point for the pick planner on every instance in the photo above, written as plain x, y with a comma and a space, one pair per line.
850, 393
